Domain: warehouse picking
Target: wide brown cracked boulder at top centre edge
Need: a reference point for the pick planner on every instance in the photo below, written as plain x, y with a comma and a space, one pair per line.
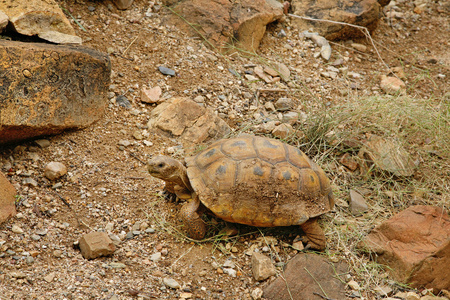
226, 23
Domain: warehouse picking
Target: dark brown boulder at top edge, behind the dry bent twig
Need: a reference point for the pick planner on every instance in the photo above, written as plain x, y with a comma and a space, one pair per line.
364, 13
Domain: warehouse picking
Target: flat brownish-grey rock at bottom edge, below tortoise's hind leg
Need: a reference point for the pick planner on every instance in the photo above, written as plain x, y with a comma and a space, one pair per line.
301, 276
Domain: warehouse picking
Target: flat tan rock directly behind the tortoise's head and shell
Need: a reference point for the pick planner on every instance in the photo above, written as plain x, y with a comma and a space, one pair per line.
184, 118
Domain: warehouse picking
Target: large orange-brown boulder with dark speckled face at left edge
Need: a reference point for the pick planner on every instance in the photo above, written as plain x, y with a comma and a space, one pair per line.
49, 88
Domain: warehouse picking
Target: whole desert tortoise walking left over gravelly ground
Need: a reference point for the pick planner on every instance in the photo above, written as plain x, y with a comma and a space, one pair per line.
249, 180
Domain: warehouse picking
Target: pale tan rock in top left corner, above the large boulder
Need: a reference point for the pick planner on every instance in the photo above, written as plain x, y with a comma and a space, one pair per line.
35, 17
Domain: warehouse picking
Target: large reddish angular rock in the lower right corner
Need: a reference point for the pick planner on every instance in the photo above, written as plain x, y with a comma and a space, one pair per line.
415, 244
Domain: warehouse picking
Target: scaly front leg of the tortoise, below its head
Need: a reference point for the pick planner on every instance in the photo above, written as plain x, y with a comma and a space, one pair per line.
193, 223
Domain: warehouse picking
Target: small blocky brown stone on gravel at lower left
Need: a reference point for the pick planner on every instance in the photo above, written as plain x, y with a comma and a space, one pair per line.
96, 244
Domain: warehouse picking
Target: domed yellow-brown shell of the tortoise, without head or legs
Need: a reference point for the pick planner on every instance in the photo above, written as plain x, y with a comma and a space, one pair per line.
259, 181
